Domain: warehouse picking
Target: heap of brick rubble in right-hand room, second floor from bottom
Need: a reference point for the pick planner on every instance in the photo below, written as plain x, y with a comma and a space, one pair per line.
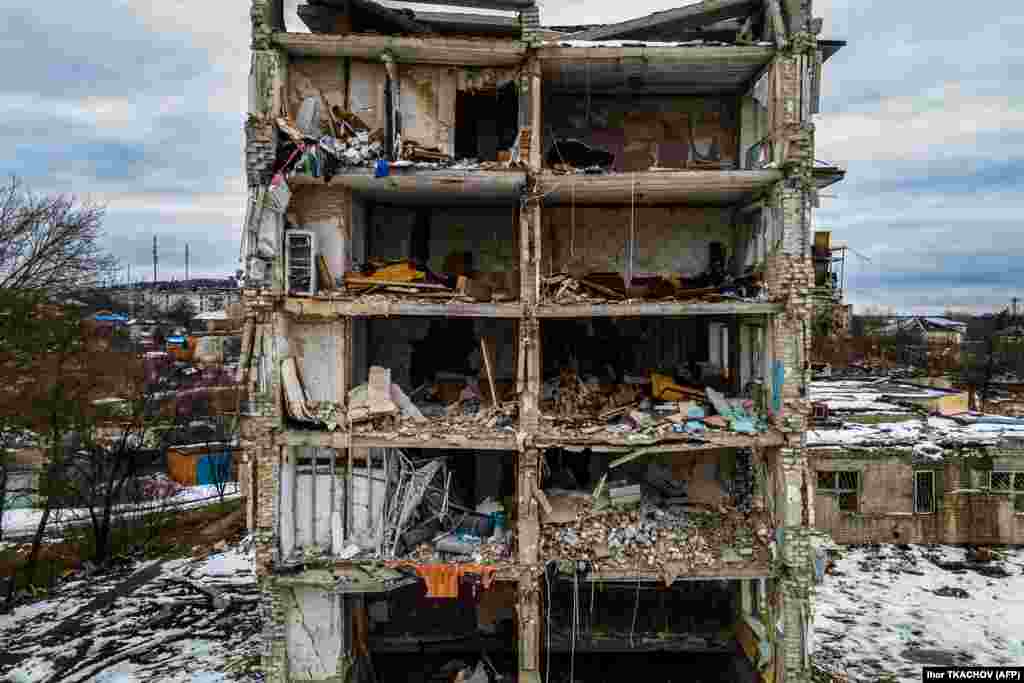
668, 519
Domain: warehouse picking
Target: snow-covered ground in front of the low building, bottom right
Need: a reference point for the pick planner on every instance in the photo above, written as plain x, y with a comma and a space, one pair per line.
892, 610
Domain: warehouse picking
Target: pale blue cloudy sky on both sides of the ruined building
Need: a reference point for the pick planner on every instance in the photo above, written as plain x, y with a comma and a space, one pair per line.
140, 105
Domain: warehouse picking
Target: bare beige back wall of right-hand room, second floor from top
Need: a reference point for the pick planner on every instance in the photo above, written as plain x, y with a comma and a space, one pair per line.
668, 239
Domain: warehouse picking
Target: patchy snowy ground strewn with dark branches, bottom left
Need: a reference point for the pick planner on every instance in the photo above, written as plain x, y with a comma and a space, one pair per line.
167, 622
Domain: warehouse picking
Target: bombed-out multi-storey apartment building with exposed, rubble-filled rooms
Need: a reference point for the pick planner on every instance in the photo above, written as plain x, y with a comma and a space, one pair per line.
527, 339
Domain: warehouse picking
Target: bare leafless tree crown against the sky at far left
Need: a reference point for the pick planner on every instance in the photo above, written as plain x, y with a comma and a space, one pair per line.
50, 243
